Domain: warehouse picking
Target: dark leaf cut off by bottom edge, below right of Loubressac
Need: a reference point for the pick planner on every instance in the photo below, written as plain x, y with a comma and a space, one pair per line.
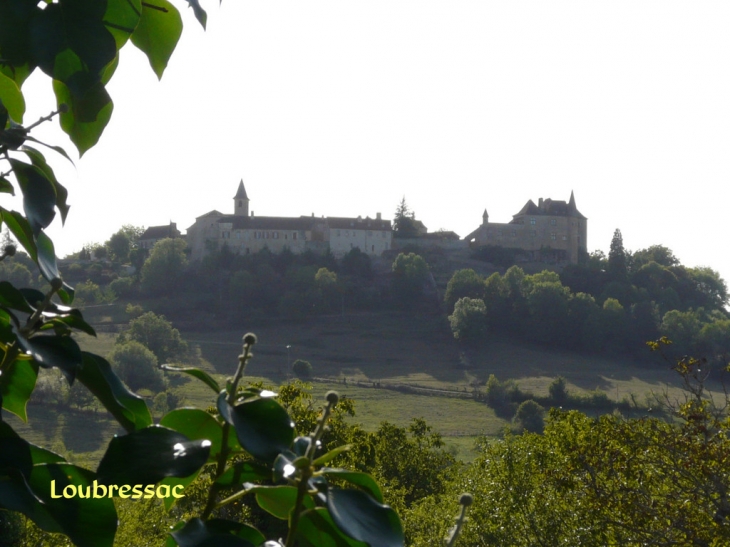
217, 532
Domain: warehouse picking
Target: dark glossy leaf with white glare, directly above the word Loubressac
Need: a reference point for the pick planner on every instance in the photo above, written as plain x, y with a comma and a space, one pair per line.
149, 455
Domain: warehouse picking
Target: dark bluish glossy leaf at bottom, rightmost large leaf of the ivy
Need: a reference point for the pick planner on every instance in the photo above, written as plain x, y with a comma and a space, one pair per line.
362, 518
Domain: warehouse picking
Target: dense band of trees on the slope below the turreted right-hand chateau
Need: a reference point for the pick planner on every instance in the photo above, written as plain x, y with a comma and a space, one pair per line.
613, 303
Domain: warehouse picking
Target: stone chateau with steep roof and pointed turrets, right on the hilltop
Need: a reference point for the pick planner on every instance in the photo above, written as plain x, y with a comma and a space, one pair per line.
551, 230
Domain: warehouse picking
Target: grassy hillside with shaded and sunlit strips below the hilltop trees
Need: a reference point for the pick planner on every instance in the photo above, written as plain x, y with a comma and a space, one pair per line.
370, 349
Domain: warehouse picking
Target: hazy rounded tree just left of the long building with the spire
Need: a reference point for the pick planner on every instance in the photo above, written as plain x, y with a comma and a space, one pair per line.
163, 270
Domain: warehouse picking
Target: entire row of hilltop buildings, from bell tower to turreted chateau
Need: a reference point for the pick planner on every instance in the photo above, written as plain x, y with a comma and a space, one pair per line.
551, 228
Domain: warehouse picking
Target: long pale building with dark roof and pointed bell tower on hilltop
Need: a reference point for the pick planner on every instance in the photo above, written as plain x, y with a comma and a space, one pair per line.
245, 233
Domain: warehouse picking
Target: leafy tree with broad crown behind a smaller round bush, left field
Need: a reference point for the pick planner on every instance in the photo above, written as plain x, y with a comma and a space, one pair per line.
156, 334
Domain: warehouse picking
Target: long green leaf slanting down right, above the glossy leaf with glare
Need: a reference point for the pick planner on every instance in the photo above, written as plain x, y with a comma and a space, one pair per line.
128, 408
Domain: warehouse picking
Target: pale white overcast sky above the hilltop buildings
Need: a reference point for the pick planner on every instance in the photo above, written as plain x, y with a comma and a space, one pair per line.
343, 108
